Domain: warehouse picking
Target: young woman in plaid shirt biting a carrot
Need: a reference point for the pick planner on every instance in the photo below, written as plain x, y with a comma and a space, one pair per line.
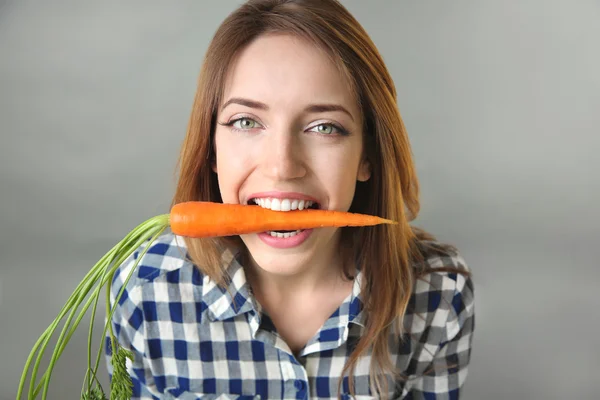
295, 109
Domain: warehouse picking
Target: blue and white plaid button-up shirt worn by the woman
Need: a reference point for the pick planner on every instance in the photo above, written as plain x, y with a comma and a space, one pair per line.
192, 339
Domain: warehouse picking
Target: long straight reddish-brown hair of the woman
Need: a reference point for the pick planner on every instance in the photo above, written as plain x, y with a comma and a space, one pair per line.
386, 253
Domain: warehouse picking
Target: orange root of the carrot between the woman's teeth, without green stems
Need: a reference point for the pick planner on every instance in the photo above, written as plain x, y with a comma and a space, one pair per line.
206, 219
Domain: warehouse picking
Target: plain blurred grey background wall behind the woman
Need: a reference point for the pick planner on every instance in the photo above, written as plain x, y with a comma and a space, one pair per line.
501, 100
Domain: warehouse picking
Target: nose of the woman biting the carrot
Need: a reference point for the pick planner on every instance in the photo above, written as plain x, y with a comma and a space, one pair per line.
282, 157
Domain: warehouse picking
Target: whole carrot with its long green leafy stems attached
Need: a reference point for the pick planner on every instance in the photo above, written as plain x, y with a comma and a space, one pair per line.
192, 219
